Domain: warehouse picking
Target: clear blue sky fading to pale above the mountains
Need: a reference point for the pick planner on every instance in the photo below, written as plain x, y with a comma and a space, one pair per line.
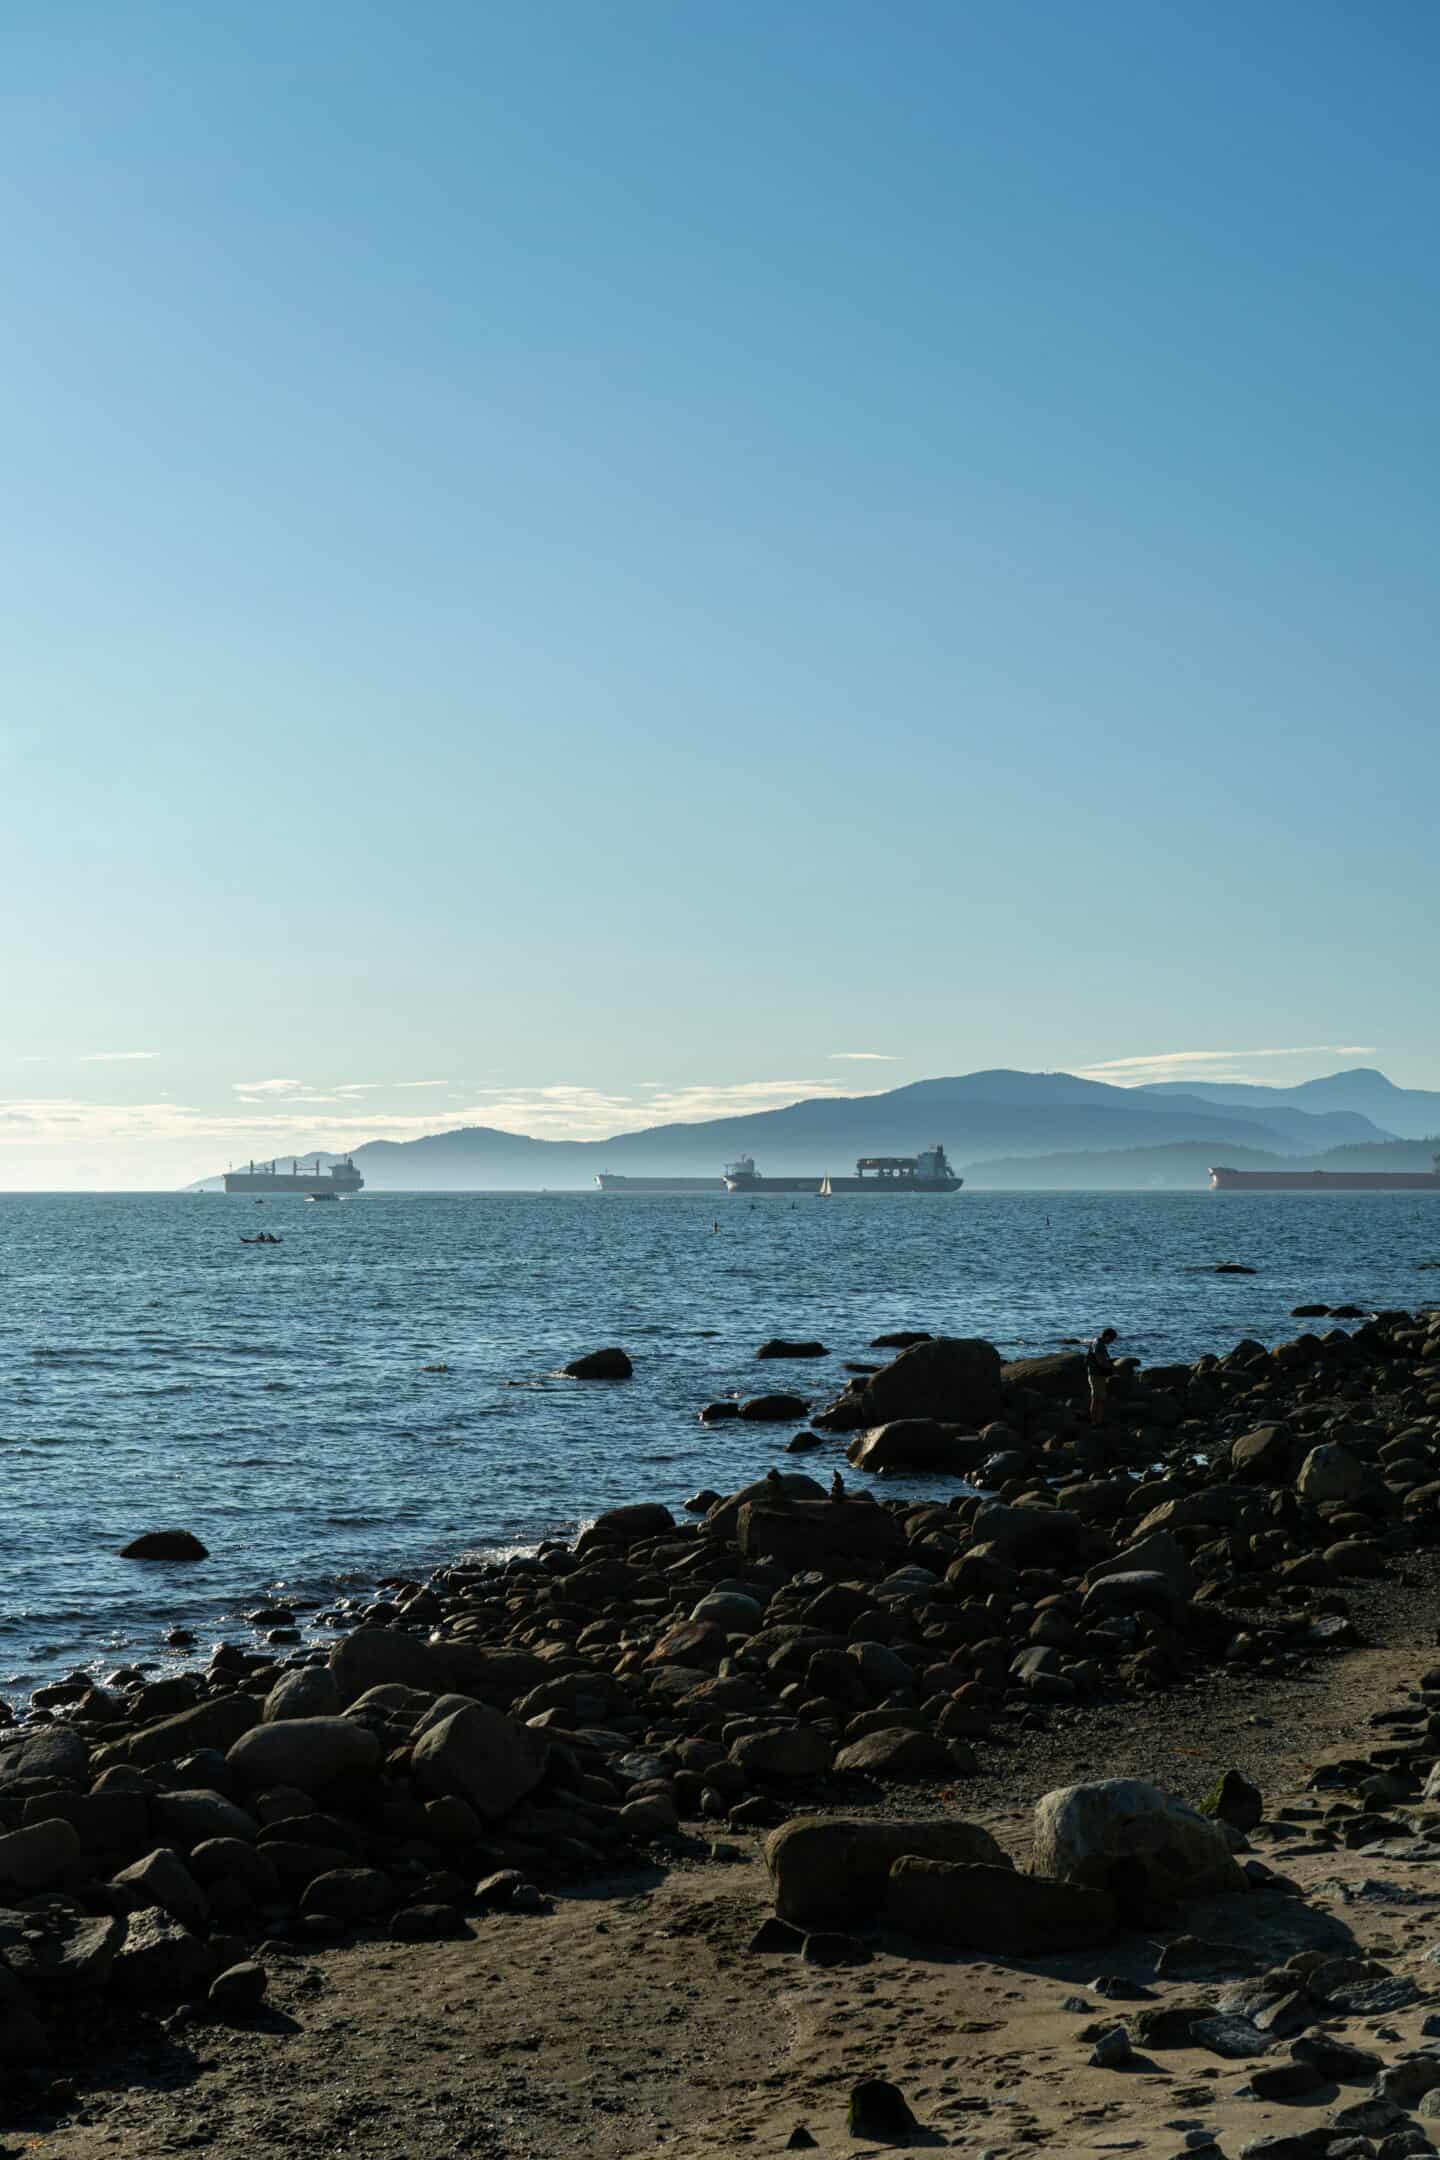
575, 561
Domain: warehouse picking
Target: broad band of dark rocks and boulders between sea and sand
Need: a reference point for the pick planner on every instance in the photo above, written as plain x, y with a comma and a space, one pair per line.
785, 1662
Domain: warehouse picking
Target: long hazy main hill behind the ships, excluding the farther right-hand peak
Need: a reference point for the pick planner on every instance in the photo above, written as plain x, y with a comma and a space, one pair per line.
979, 1118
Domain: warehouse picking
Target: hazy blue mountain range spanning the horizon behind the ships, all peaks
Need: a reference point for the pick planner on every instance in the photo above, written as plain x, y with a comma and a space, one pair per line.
988, 1122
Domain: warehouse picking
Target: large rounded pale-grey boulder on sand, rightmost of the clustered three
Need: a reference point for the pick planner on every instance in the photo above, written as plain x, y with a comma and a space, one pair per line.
1135, 1841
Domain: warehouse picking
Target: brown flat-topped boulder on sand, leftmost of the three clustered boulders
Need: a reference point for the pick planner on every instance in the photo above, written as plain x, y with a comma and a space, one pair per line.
832, 1874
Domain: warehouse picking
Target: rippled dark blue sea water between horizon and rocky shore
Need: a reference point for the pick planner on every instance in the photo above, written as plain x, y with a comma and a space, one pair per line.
154, 1373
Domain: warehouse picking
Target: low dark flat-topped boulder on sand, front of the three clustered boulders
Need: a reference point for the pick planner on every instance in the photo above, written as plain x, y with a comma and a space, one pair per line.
996, 1911
